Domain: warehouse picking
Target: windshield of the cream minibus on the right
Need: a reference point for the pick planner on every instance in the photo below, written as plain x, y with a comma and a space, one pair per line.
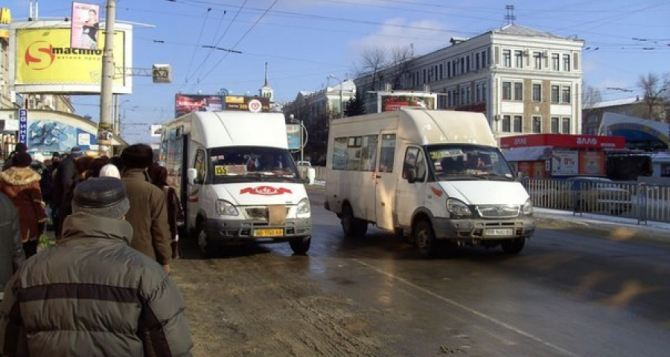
457, 162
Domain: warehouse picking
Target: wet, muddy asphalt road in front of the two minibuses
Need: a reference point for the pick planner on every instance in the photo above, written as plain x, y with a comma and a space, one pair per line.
570, 292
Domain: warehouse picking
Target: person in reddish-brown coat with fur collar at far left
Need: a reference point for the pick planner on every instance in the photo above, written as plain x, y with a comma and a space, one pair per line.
22, 185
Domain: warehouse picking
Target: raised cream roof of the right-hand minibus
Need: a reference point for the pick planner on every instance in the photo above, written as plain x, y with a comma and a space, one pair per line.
427, 126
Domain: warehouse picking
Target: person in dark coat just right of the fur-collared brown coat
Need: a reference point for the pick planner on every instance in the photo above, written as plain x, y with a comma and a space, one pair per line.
65, 179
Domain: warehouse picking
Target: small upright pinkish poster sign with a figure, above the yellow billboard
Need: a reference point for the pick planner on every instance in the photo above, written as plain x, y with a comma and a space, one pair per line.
84, 27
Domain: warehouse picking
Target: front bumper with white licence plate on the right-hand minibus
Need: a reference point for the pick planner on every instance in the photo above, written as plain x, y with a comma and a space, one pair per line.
483, 229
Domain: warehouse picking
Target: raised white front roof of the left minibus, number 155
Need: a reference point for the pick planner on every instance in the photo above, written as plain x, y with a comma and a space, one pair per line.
237, 128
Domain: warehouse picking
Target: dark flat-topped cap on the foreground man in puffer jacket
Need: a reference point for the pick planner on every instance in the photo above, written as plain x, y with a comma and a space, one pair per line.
101, 196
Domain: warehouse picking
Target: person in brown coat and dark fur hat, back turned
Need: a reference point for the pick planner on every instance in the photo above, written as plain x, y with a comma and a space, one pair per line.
148, 212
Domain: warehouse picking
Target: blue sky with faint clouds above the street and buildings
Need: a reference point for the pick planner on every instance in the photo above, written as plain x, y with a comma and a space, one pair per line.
305, 41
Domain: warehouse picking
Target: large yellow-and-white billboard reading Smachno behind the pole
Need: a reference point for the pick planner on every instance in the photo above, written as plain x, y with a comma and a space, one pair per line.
45, 62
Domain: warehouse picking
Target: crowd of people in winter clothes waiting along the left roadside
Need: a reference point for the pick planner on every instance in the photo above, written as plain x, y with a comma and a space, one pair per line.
115, 223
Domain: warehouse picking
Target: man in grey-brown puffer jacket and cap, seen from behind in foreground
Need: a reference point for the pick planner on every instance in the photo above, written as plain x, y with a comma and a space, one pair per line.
91, 294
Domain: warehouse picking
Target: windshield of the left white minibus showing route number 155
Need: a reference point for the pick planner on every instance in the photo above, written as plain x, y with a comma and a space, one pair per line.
251, 163
